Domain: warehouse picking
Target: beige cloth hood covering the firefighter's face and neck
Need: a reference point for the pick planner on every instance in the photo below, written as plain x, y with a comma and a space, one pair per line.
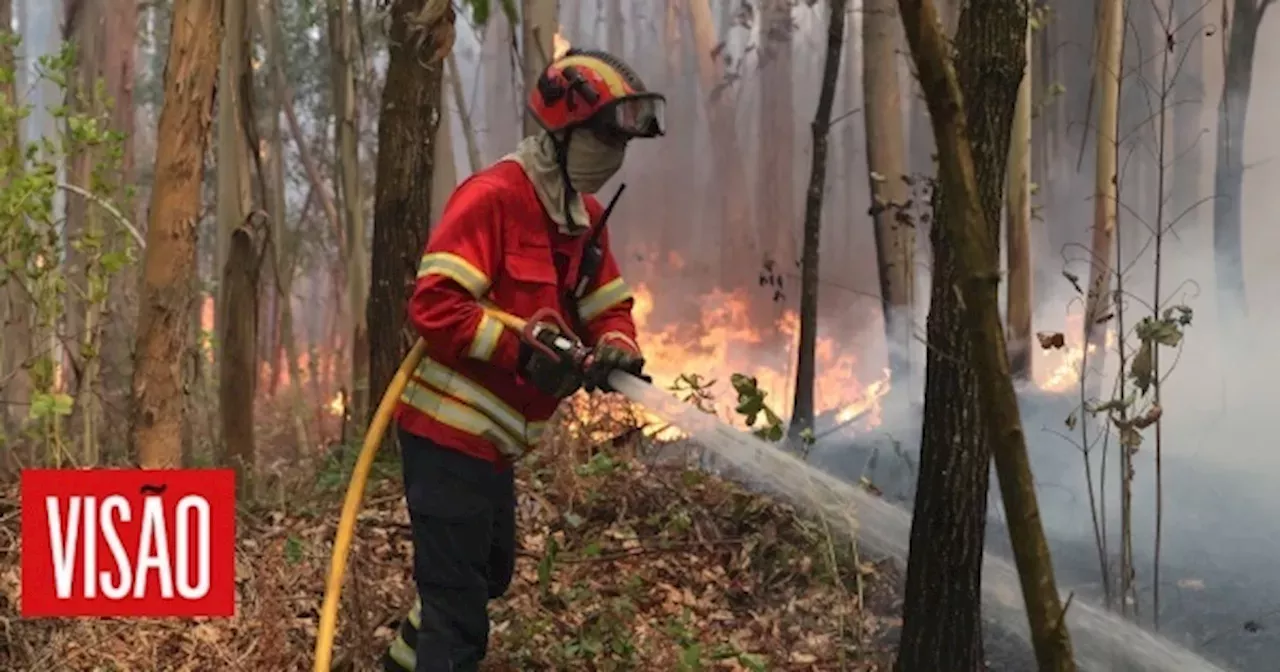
591, 164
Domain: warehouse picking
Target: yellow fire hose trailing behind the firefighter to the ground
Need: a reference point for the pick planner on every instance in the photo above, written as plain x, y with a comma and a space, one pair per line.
356, 492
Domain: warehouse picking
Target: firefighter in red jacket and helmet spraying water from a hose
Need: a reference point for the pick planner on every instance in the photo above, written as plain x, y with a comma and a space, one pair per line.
516, 235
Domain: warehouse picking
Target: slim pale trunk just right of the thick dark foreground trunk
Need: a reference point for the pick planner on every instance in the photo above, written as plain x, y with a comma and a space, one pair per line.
1018, 230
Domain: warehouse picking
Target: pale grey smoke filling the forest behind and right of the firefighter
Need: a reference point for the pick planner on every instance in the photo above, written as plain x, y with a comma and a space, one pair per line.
1218, 444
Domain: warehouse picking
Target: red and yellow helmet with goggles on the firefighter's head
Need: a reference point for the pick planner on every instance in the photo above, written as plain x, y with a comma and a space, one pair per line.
596, 90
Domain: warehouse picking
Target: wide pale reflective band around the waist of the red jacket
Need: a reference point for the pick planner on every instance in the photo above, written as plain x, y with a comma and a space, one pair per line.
451, 399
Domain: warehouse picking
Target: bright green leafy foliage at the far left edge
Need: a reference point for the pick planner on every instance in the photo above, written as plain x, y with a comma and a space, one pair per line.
56, 267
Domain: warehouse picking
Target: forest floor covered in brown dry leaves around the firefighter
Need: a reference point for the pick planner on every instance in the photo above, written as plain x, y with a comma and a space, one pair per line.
624, 565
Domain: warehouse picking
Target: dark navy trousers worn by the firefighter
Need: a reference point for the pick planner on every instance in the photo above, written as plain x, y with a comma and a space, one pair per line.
463, 513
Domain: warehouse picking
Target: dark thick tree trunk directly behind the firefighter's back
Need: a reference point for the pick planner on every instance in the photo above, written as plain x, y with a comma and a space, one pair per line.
422, 35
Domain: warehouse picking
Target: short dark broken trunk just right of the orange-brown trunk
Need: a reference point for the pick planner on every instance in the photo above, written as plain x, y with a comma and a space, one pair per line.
237, 374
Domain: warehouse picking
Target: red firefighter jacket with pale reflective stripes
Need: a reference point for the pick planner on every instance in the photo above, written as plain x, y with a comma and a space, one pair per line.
496, 243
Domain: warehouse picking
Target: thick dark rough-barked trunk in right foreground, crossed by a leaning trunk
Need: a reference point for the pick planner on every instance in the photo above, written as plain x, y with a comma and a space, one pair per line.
943, 609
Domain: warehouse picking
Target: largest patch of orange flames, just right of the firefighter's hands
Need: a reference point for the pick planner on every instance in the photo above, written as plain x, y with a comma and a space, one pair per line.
724, 342
